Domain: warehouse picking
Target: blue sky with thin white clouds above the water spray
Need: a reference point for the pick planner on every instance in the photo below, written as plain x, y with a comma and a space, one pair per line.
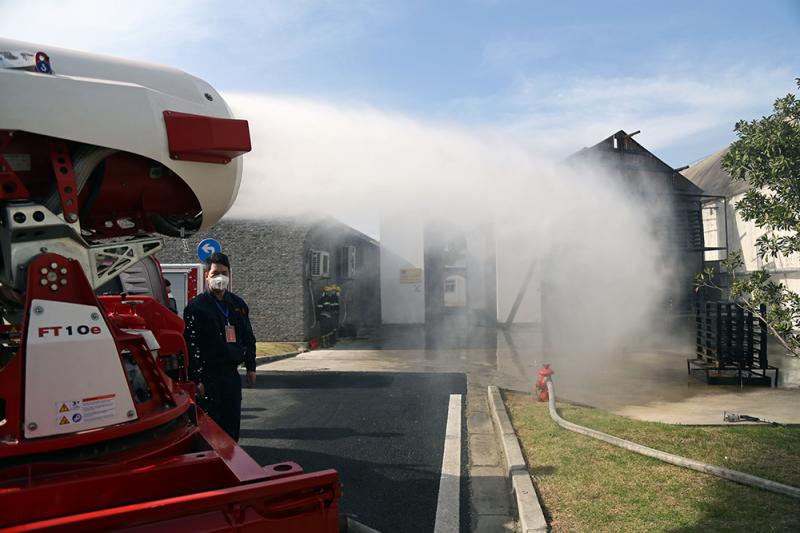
552, 76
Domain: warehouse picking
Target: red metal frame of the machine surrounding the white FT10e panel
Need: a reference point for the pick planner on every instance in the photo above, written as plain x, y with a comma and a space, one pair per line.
172, 469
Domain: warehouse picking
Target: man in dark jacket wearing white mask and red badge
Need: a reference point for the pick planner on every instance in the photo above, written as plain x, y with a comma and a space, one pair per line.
220, 339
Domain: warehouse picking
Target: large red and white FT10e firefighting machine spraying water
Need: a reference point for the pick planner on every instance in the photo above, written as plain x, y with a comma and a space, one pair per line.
98, 157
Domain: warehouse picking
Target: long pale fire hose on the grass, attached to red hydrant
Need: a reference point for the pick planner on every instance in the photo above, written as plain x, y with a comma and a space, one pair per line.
726, 473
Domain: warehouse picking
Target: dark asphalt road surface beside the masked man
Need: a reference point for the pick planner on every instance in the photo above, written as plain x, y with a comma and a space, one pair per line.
383, 432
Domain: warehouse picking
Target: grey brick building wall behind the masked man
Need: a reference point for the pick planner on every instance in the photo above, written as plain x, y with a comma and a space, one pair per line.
269, 270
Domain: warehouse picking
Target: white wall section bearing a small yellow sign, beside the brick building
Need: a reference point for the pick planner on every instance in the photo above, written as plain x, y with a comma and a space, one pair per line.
402, 247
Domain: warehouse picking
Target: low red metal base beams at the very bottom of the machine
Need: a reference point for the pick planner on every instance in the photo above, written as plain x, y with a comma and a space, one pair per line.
220, 482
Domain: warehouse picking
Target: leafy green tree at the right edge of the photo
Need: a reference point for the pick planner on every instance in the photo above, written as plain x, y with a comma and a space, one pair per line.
767, 156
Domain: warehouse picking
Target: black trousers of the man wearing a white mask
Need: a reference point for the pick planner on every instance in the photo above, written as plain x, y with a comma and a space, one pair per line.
223, 401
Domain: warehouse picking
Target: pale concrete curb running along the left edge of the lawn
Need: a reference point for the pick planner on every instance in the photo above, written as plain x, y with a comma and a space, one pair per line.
531, 516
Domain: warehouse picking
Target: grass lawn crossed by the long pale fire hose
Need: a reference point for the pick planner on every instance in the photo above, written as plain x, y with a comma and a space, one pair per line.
588, 485
